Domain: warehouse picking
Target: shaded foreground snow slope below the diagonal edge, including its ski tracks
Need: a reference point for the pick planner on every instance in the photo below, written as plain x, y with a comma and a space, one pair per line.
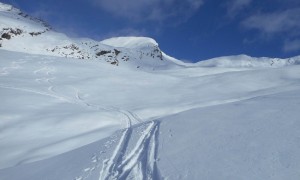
230, 141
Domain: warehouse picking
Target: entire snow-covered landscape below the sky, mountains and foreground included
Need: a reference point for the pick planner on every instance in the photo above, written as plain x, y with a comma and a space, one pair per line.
122, 109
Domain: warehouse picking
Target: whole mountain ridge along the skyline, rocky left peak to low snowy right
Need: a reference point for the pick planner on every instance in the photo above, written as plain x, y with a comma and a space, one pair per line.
18, 29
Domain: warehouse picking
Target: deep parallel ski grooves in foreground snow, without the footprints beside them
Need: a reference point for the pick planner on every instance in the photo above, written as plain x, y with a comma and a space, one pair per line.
140, 162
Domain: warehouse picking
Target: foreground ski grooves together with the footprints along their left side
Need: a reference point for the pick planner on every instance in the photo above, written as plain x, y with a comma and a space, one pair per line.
137, 162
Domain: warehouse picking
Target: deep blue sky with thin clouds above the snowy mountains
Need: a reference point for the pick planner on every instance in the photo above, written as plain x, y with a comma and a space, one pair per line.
186, 29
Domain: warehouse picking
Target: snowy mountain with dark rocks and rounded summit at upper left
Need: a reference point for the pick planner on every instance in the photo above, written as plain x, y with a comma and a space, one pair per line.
23, 33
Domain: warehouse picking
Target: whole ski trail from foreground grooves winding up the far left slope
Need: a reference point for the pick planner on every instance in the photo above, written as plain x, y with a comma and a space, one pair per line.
140, 161
